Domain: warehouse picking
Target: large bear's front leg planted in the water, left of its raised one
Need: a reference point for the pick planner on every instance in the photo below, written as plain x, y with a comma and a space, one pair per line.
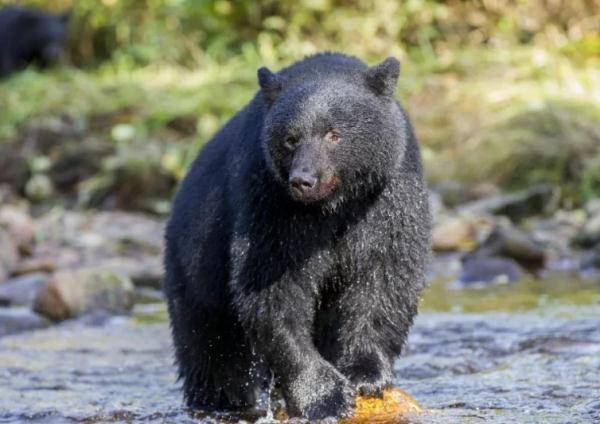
279, 321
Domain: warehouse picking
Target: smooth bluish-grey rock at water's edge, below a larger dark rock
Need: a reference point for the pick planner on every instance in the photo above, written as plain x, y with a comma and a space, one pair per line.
480, 272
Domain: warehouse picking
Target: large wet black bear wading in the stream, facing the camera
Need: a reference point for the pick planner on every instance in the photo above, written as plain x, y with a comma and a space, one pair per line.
298, 241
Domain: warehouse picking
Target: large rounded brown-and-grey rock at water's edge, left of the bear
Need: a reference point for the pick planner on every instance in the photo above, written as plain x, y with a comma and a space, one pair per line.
77, 292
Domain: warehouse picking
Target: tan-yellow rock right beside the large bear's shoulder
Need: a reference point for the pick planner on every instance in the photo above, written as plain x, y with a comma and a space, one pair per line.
459, 233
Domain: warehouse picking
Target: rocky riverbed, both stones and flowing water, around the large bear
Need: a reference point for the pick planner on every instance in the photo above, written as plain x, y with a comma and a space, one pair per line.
509, 329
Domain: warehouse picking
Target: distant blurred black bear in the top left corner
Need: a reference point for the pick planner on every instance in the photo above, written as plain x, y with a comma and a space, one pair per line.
30, 36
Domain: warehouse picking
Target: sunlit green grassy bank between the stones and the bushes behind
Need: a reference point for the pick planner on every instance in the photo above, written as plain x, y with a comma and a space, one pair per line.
481, 114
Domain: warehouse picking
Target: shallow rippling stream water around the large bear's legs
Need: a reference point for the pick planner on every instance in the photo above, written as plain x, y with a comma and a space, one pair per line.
523, 354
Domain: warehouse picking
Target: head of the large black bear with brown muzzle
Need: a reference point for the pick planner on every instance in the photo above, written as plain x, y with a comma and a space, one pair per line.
333, 137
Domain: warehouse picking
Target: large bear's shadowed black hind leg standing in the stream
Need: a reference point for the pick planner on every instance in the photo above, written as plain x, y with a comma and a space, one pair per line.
217, 366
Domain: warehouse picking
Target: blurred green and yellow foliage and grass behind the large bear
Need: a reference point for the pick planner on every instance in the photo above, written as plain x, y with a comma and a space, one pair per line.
505, 92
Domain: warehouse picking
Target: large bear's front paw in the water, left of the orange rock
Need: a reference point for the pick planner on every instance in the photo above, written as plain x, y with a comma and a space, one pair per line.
321, 392
